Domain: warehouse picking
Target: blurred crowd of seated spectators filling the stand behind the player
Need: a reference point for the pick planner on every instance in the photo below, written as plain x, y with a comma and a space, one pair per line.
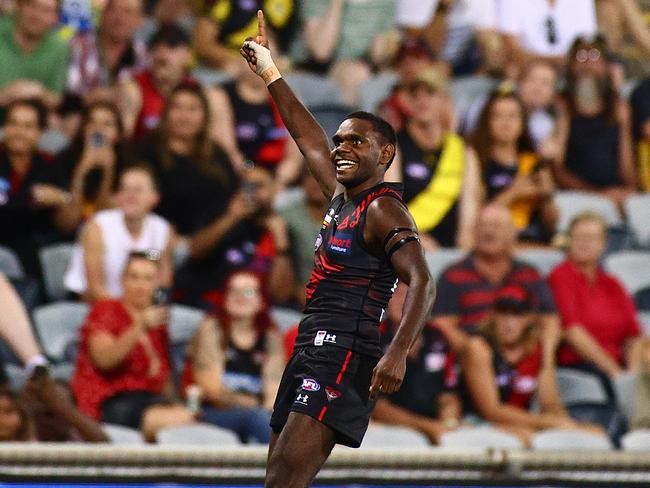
157, 221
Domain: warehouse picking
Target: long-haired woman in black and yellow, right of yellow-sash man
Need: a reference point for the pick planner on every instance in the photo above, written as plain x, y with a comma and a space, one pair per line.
513, 174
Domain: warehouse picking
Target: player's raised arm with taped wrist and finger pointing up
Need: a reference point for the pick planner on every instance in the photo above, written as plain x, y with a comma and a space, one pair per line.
308, 134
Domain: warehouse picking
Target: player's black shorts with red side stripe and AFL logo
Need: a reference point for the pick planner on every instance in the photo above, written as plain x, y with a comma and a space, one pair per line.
330, 384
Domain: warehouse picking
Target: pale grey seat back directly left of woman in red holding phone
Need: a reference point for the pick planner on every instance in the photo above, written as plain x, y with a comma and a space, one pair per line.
57, 326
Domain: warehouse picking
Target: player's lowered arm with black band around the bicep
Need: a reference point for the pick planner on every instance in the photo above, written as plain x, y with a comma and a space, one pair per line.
390, 230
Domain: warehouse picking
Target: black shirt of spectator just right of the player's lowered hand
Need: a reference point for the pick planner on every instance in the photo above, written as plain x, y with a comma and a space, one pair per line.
429, 374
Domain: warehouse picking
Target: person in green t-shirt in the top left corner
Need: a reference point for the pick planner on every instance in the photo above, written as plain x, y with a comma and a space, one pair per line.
34, 61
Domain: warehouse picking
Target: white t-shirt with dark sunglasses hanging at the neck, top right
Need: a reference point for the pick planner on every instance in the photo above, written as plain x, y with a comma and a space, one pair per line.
529, 20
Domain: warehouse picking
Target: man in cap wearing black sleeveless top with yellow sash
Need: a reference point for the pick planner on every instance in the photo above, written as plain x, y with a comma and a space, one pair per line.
441, 176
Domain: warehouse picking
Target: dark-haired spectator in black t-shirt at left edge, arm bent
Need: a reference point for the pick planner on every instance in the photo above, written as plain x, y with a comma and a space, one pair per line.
33, 203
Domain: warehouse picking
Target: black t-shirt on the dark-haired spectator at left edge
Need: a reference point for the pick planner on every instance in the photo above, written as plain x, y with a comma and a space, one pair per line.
24, 227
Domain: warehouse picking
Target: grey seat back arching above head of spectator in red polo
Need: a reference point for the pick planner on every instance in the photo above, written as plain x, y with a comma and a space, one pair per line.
571, 203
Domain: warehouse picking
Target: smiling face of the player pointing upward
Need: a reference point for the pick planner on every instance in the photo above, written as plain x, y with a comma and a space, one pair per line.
360, 155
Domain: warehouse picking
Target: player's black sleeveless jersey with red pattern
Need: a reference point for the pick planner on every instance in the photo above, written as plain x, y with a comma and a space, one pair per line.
349, 287
